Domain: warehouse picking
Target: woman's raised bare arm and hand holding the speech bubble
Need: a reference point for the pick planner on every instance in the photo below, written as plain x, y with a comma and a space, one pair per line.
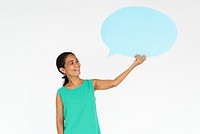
107, 84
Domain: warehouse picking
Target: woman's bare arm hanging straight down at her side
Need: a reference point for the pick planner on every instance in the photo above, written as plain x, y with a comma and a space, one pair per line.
59, 115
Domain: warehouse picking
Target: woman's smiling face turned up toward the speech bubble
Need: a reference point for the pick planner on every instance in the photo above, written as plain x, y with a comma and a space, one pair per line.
72, 66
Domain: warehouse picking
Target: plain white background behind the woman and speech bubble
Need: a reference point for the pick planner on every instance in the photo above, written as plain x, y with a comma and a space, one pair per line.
161, 96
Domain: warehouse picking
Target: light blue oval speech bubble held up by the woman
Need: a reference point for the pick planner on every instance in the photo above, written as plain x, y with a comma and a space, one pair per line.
138, 30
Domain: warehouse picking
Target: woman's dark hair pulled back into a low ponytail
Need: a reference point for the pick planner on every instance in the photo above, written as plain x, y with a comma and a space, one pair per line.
60, 62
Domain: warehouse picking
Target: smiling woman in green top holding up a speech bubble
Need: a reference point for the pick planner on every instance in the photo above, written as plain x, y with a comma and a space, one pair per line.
75, 100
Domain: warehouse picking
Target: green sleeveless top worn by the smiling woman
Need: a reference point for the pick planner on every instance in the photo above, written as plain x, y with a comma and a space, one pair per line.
79, 109
